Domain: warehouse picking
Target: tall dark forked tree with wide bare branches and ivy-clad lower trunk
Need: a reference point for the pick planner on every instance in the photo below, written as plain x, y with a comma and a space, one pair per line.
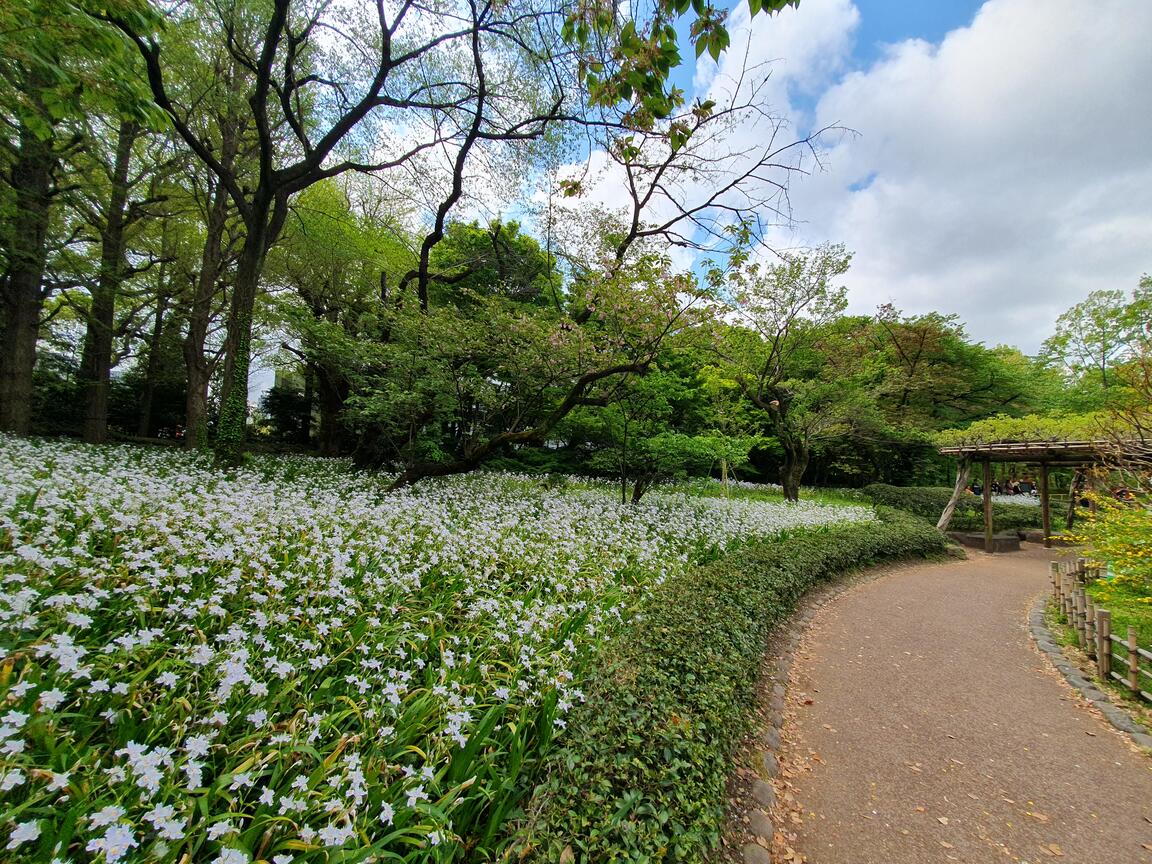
307, 101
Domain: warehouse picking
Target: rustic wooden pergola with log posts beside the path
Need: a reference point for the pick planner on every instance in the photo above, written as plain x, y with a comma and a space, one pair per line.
1044, 456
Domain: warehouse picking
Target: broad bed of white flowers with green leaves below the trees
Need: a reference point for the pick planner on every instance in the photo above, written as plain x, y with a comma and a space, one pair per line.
290, 664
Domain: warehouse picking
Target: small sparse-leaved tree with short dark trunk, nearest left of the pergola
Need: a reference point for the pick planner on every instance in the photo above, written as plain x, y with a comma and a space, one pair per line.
774, 354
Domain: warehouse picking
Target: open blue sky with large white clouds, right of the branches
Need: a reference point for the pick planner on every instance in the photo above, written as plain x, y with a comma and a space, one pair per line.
1001, 162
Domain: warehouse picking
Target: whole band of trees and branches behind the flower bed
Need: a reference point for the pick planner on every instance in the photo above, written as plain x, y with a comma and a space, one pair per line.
186, 187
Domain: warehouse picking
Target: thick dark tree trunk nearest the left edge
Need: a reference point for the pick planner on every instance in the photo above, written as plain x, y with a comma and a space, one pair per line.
22, 293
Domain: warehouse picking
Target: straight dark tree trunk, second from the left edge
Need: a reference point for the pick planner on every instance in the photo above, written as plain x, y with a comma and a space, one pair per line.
96, 367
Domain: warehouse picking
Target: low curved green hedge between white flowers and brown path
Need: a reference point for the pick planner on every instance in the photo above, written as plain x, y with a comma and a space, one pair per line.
642, 775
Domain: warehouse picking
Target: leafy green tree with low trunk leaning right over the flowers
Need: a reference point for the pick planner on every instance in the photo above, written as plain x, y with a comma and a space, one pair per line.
456, 386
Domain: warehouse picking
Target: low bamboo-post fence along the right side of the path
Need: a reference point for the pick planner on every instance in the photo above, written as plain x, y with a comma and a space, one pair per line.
1118, 658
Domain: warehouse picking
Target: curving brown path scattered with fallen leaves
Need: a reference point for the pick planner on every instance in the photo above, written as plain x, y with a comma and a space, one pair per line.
937, 732
